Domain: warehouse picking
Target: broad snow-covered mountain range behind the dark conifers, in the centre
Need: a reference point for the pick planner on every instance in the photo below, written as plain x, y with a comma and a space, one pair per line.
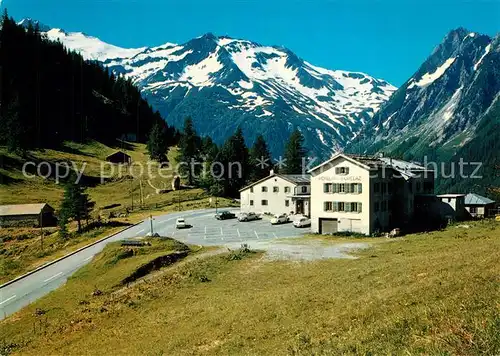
223, 83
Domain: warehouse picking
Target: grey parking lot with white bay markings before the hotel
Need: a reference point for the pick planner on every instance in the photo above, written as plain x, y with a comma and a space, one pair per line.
206, 230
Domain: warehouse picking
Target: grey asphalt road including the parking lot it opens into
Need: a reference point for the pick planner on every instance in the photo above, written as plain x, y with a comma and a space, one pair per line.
205, 230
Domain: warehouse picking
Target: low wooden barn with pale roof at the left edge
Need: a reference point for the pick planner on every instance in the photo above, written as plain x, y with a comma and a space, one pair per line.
27, 215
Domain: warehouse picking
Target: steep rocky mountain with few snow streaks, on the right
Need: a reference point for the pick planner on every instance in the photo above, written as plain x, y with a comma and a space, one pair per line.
440, 107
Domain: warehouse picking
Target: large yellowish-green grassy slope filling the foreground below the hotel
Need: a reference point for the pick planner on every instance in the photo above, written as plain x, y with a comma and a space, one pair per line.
434, 293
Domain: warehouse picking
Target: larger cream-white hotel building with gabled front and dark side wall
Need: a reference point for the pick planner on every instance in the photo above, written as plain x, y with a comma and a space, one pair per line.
365, 194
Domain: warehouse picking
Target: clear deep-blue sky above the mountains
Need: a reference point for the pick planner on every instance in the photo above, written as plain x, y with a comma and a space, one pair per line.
386, 39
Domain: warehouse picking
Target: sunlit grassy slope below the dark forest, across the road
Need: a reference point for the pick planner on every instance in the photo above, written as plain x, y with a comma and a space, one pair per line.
16, 188
